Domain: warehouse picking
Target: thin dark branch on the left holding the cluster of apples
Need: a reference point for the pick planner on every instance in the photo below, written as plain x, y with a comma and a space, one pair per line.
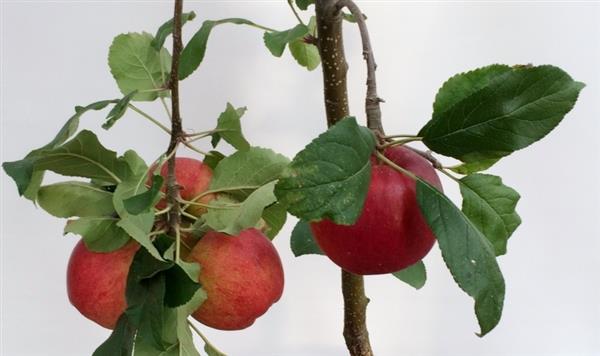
177, 134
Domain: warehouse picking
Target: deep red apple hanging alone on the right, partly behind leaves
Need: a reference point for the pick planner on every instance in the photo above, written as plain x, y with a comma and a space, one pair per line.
391, 233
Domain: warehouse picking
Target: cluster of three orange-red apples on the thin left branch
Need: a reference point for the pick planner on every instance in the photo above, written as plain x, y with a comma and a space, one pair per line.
242, 275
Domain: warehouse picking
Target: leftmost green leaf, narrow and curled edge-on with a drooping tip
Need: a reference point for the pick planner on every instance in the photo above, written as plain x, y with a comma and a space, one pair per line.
22, 172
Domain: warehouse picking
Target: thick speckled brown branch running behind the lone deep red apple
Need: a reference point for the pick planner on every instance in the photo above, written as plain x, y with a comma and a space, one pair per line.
331, 48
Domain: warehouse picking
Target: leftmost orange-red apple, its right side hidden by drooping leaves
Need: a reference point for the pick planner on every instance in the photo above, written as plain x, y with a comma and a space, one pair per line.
96, 282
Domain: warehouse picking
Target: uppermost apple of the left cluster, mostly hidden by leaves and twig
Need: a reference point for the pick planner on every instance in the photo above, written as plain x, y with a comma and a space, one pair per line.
194, 178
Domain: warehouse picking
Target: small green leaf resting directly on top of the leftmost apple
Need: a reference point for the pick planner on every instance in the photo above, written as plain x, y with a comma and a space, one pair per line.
100, 234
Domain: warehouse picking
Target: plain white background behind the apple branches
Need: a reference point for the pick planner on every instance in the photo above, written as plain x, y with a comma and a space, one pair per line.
54, 57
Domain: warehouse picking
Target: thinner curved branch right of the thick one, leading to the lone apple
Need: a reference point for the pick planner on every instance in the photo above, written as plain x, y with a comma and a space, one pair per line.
372, 107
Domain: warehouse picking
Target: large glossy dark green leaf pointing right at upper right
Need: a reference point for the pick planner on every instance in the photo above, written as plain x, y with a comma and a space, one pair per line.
493, 111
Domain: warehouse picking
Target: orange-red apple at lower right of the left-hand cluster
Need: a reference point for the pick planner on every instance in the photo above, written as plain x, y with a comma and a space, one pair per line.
242, 276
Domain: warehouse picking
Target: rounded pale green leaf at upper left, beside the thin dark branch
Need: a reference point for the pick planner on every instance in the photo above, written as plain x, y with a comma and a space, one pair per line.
135, 65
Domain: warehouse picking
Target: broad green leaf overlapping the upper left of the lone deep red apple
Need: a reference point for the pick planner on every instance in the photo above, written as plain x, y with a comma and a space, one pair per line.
330, 177
